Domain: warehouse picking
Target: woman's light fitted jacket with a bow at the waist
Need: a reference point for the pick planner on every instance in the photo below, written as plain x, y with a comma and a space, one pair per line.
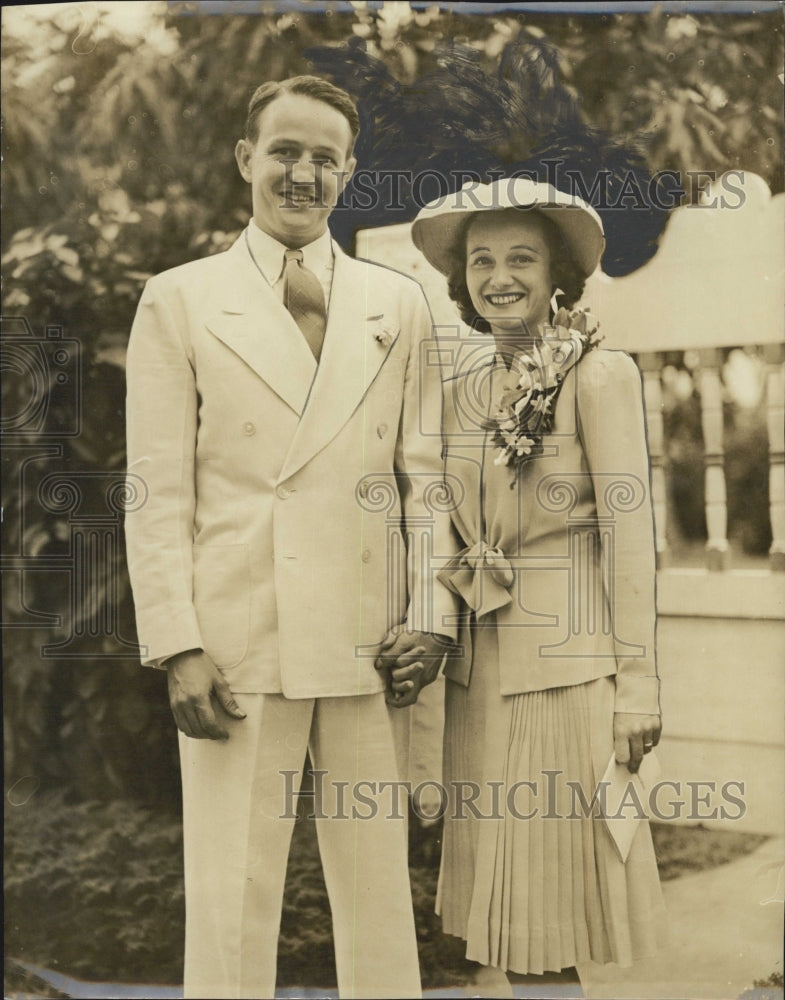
580, 545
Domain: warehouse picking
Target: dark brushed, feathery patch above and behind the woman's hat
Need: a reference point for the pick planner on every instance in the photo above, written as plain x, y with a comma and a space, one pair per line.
424, 140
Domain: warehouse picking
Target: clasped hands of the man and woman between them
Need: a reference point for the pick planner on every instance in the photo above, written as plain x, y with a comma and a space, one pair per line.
412, 660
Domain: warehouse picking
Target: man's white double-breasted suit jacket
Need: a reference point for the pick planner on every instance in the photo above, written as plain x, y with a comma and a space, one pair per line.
270, 493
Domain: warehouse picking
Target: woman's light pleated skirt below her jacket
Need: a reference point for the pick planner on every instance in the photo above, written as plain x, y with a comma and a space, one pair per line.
527, 878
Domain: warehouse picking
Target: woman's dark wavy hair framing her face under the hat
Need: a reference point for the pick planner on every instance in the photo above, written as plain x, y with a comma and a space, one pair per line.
565, 273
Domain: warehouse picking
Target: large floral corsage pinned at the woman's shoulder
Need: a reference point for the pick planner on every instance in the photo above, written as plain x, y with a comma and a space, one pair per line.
526, 409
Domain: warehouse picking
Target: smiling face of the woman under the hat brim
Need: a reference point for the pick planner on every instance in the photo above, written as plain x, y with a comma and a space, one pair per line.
508, 270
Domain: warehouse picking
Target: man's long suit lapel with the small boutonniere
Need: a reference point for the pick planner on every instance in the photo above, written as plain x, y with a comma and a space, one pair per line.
351, 359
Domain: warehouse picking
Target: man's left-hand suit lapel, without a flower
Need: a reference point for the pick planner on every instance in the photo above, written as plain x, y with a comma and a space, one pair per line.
258, 328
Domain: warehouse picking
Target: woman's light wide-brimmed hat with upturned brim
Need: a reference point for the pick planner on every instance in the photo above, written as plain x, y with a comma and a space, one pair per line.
439, 223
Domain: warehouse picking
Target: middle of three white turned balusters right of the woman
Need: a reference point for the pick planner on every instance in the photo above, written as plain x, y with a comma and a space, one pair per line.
714, 459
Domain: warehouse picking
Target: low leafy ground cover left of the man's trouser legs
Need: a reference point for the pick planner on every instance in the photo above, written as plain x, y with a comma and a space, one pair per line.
94, 890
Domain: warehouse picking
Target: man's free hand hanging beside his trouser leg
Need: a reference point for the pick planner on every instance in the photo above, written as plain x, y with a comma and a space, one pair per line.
194, 681
